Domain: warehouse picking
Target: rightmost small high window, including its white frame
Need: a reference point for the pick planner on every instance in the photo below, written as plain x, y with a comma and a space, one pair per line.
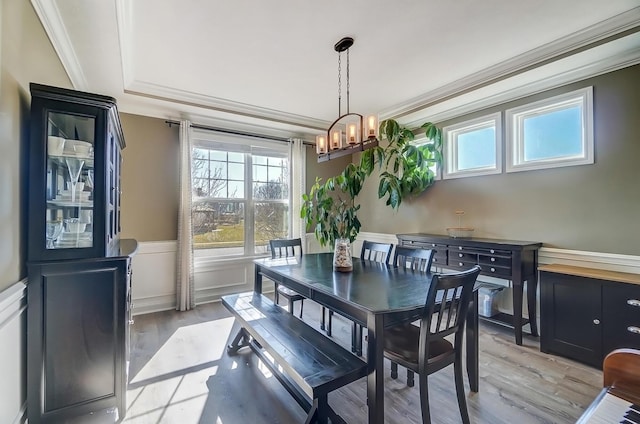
550, 133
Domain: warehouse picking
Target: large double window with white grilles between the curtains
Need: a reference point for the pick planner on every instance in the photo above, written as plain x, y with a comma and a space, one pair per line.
240, 195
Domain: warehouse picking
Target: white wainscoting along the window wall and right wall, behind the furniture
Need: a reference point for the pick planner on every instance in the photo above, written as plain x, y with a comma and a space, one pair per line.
154, 271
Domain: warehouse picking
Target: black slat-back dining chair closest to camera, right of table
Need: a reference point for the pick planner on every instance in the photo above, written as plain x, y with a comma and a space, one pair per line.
424, 349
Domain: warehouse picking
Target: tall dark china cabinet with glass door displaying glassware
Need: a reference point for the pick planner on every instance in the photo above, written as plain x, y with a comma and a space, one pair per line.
79, 270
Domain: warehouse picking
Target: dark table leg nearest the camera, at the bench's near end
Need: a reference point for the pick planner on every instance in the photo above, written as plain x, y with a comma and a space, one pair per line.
375, 377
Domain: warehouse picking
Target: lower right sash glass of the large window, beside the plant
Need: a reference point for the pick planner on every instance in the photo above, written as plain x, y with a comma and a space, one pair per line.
271, 221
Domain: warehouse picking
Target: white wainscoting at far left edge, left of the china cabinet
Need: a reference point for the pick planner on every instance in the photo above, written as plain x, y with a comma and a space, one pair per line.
13, 360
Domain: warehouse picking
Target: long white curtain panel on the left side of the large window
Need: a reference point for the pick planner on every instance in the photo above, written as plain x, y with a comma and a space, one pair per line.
185, 292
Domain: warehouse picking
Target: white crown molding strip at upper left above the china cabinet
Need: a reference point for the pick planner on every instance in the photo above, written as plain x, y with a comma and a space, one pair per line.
51, 20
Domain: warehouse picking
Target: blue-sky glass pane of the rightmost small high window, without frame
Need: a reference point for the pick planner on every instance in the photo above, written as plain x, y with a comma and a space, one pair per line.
553, 135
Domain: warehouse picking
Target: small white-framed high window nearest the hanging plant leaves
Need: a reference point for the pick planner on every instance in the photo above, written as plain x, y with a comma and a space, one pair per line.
473, 148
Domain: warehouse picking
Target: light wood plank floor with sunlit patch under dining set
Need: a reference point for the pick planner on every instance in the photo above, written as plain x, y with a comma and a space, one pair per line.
180, 373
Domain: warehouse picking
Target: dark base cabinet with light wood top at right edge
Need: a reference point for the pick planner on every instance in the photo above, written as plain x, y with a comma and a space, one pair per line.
587, 313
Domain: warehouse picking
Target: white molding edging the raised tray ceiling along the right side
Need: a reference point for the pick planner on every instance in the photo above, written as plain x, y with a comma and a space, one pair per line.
603, 32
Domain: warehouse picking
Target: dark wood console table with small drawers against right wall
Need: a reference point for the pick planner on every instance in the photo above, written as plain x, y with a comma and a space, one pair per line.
506, 259
